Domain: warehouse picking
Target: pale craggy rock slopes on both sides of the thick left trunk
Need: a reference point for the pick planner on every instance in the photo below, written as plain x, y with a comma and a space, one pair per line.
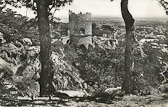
23, 60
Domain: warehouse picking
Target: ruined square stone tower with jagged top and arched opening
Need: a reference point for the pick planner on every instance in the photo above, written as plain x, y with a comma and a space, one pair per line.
80, 28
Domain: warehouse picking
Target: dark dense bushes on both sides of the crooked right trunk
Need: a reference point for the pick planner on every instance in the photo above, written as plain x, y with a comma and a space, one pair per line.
103, 68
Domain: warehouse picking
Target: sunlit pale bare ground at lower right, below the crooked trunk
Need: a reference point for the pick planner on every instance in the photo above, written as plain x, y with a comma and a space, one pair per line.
126, 101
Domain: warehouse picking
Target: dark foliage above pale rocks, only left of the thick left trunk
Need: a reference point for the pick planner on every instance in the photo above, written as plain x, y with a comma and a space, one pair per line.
15, 26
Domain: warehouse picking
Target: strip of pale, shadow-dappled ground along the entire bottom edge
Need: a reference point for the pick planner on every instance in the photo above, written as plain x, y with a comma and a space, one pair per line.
126, 101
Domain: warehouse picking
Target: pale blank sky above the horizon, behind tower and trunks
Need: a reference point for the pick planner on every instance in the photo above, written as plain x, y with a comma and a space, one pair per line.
138, 8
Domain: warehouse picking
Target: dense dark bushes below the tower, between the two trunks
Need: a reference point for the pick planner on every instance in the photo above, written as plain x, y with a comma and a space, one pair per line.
100, 68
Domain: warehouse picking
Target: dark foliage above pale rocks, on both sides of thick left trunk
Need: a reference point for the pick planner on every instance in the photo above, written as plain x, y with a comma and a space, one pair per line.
15, 27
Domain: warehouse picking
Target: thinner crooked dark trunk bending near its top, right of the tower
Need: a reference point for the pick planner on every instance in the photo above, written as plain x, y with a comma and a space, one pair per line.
129, 42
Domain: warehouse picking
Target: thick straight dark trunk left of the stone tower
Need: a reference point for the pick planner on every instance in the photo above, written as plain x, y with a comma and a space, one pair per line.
46, 74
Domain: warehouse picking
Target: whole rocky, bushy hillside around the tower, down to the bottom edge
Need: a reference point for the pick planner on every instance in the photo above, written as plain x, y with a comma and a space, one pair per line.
83, 77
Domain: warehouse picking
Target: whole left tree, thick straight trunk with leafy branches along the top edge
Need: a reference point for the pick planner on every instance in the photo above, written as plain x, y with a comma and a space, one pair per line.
43, 9
